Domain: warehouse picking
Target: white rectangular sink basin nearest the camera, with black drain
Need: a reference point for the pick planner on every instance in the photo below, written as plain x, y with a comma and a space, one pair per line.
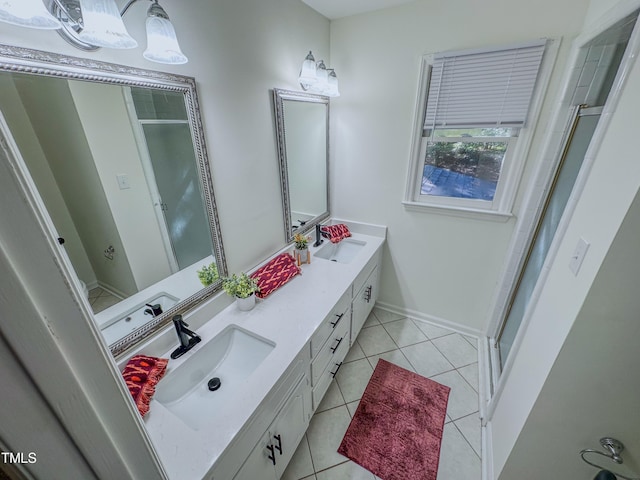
231, 356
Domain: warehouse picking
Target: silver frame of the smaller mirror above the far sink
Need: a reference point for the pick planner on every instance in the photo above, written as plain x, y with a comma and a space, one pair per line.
279, 96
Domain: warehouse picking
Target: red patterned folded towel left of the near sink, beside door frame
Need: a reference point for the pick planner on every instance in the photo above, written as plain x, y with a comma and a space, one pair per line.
141, 374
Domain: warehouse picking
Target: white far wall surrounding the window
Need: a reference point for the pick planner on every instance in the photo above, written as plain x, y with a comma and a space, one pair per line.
435, 265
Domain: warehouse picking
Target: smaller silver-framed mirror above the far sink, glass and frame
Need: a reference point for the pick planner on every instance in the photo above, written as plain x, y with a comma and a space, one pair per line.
302, 130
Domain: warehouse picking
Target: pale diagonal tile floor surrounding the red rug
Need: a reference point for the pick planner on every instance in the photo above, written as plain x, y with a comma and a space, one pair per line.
442, 355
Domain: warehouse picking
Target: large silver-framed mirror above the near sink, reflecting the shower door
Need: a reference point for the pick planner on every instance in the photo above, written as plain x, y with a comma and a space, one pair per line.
118, 158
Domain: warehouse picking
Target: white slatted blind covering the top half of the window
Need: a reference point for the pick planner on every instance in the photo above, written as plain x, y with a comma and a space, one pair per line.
483, 88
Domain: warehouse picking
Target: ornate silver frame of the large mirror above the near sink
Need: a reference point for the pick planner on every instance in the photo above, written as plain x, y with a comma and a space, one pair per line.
23, 60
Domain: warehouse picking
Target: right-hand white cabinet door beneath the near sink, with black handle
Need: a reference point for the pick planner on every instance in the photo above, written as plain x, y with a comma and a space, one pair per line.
288, 429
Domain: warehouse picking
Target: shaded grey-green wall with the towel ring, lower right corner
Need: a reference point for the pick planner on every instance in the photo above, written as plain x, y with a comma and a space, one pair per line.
591, 391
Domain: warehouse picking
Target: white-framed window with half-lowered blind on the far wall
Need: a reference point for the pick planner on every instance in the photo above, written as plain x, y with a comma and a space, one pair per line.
474, 111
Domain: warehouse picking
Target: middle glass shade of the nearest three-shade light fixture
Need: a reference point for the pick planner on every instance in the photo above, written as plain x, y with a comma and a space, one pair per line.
103, 26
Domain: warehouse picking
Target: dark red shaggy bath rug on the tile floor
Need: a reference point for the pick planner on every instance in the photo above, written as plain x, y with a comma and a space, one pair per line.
397, 428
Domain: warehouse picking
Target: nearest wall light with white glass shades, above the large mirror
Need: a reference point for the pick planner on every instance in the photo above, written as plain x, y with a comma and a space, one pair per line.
91, 24
